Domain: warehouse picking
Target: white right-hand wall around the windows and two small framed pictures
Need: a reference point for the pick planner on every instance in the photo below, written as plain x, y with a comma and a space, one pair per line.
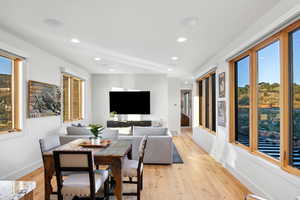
259, 175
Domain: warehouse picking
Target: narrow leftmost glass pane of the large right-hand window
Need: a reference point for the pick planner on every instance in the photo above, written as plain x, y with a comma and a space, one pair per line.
242, 105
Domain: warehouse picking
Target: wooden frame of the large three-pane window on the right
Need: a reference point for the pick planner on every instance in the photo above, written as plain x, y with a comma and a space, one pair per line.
285, 87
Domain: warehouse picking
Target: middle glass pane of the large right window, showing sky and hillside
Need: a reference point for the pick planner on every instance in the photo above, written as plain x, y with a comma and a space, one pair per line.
268, 86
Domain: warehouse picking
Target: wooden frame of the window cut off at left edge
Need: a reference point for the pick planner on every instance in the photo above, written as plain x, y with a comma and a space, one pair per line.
15, 92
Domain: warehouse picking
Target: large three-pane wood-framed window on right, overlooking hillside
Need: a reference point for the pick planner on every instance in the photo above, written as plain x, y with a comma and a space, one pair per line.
265, 99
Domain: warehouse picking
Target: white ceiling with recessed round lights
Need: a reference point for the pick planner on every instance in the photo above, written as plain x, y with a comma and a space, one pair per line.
132, 36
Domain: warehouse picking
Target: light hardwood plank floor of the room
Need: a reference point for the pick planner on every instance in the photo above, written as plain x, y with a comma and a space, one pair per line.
199, 178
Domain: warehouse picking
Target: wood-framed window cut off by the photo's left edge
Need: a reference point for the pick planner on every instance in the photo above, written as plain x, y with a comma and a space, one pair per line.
9, 93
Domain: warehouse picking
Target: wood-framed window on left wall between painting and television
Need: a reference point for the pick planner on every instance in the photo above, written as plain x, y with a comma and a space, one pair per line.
72, 98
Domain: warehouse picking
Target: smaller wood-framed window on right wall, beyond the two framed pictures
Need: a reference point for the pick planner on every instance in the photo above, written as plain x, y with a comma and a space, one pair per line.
207, 102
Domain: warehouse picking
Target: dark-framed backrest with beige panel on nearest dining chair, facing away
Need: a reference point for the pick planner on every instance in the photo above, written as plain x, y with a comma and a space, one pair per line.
75, 161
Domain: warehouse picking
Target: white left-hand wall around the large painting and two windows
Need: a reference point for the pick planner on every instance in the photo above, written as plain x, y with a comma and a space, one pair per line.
19, 152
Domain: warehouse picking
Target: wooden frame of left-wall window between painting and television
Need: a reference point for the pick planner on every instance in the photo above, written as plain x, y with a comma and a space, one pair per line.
70, 100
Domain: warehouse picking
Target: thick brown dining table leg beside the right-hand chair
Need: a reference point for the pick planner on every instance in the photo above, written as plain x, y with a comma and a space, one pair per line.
117, 173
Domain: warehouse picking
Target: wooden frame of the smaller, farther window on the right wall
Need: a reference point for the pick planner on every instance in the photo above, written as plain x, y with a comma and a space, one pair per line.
203, 107
